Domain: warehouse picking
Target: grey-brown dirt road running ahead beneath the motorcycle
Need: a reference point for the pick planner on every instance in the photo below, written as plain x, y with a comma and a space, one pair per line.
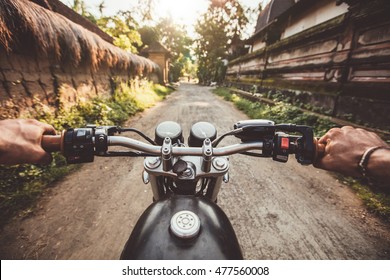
279, 211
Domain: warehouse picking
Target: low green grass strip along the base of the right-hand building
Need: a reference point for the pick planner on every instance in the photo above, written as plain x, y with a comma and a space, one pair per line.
374, 196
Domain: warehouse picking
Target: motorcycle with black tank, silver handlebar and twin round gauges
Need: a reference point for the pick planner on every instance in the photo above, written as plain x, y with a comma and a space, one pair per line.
184, 220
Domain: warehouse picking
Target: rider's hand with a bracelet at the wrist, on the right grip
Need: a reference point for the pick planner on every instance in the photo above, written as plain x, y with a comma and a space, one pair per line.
344, 148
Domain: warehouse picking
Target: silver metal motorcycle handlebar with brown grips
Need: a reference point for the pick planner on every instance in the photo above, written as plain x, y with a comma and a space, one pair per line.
54, 143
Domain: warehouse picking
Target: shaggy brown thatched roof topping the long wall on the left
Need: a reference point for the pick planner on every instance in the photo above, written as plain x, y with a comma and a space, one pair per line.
28, 28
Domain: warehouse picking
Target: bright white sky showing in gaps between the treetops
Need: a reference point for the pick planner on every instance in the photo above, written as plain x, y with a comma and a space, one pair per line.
183, 12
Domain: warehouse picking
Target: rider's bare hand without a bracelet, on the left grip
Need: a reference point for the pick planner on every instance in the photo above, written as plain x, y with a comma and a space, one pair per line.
20, 141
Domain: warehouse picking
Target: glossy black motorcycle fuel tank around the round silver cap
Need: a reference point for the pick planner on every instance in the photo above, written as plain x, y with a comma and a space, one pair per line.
153, 239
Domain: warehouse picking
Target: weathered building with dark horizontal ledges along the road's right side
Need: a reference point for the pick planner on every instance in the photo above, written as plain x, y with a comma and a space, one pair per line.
330, 55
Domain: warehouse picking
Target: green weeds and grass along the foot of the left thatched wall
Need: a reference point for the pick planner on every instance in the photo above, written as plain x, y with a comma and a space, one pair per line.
21, 185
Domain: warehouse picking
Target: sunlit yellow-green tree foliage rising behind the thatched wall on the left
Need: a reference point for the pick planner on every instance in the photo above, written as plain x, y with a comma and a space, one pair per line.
129, 35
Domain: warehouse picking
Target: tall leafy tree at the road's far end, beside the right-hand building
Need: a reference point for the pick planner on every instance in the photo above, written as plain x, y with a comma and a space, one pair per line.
217, 29
